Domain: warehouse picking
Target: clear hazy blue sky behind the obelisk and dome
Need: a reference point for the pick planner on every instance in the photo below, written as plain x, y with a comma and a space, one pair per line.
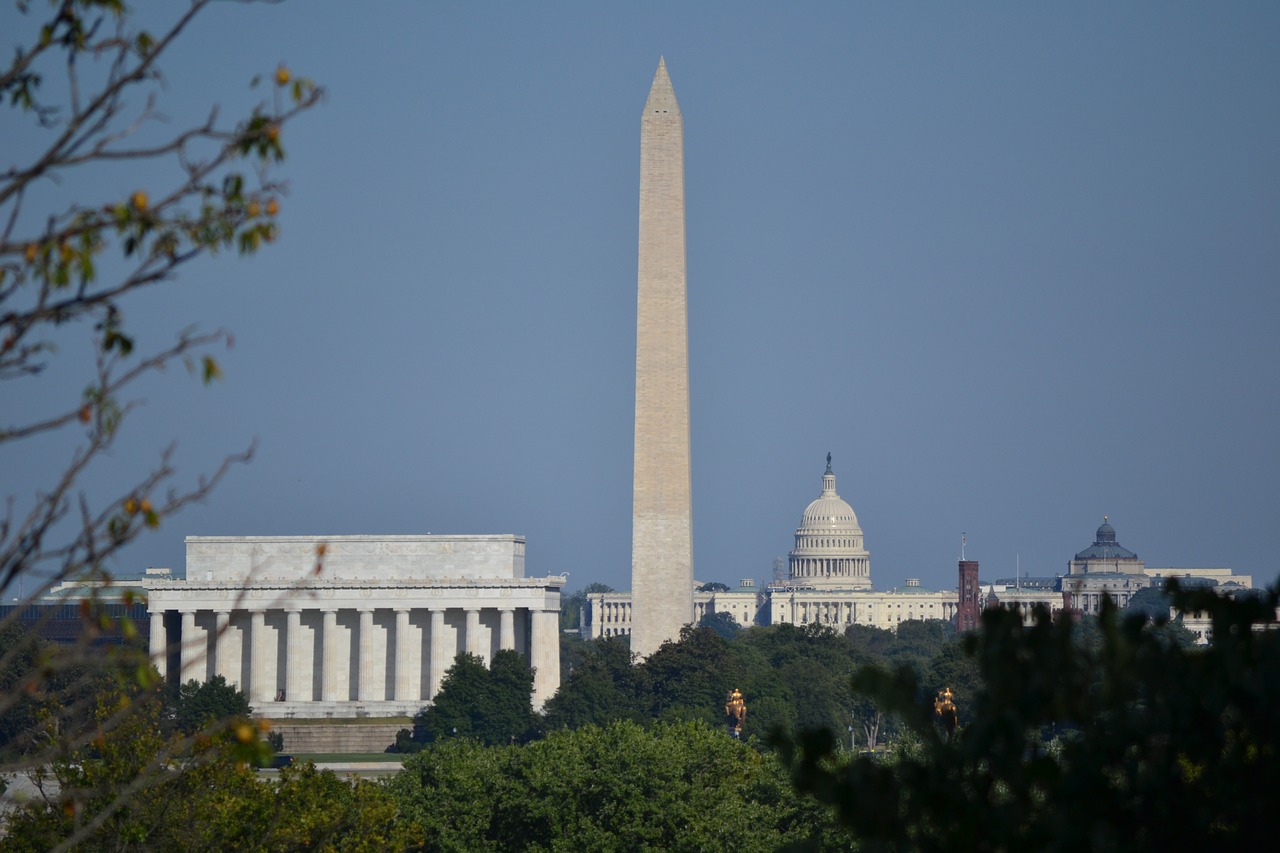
1014, 266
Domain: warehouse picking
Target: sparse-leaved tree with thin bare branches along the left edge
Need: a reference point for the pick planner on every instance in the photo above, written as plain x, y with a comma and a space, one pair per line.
70, 275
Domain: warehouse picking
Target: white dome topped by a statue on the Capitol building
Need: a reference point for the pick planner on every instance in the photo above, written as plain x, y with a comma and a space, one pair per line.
830, 550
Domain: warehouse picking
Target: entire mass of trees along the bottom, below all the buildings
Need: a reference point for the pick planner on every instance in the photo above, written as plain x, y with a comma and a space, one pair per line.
1100, 735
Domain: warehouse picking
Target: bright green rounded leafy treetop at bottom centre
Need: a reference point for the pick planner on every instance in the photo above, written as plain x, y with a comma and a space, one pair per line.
676, 787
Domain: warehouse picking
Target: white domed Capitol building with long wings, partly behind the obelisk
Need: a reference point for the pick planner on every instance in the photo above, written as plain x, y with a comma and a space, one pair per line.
829, 583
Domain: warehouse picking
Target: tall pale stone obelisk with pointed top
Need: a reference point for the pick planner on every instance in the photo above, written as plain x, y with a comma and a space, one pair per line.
662, 540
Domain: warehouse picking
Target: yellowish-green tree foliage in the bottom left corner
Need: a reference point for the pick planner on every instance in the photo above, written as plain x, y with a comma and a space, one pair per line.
135, 788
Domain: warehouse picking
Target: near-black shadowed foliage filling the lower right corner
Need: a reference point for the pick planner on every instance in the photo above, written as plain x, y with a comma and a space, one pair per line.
1133, 743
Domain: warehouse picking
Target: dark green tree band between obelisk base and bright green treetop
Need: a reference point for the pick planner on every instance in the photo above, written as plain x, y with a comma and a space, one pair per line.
794, 678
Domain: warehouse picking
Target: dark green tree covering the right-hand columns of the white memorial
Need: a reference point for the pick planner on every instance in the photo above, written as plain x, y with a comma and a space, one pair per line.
491, 705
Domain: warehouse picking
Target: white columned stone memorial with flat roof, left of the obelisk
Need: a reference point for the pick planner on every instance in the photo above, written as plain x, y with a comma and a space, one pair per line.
353, 626
